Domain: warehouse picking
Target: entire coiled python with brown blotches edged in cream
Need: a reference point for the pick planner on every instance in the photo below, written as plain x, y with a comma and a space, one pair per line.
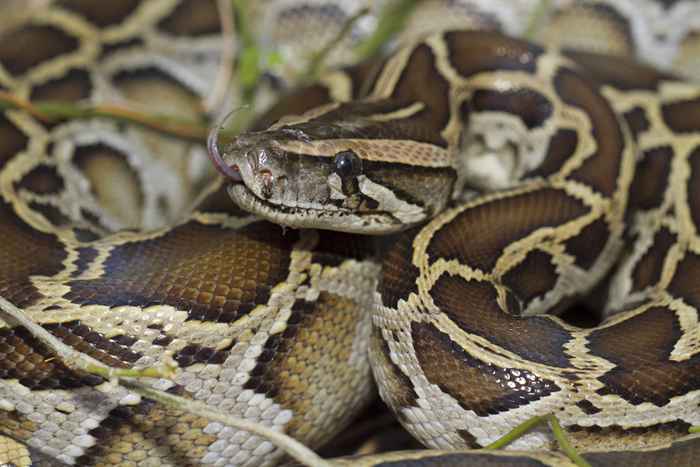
544, 174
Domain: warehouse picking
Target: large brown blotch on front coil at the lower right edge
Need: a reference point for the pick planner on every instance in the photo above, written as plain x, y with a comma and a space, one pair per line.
641, 347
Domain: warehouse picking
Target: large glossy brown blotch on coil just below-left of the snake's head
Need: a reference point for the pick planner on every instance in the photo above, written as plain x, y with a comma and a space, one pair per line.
215, 274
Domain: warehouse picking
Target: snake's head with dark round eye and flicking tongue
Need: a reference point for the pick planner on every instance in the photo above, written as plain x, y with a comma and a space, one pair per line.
325, 175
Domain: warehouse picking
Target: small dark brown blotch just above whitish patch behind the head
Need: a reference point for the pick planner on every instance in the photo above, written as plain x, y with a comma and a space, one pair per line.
531, 106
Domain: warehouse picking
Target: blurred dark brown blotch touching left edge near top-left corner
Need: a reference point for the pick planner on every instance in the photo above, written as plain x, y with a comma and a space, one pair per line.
23, 49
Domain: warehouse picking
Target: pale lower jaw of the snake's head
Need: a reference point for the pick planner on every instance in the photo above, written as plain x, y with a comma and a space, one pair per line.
304, 217
